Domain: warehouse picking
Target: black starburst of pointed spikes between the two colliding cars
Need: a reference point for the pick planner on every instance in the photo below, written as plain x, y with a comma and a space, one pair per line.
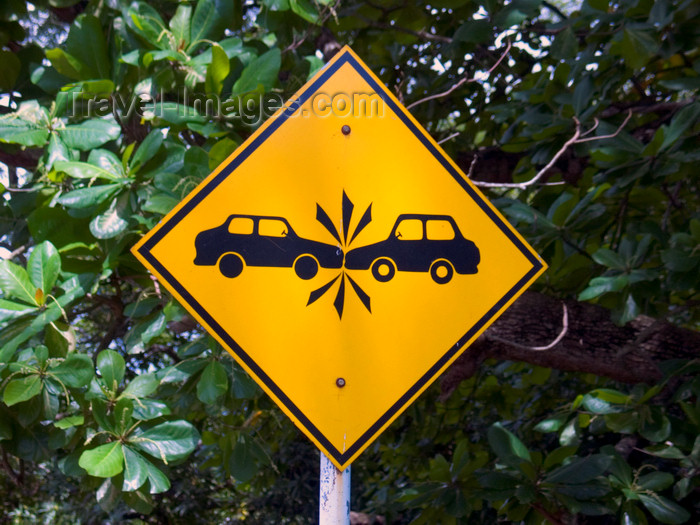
345, 244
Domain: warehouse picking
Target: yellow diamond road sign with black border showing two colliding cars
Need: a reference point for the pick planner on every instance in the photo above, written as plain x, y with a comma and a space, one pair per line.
341, 257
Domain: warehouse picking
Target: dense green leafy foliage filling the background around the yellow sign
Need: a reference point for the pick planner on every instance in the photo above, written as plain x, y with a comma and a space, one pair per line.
115, 406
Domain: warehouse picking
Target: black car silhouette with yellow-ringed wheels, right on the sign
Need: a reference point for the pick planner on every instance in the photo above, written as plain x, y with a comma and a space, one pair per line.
418, 243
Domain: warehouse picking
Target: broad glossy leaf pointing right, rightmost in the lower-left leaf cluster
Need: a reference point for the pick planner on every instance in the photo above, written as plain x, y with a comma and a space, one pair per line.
168, 441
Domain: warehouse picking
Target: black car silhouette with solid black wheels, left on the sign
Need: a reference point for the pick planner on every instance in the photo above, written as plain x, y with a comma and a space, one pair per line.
256, 240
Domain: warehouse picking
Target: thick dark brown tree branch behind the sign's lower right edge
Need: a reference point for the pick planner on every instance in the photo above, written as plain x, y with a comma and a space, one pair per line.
592, 343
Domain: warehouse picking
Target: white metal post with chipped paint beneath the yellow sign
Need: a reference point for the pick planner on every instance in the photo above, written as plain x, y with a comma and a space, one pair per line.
334, 494
